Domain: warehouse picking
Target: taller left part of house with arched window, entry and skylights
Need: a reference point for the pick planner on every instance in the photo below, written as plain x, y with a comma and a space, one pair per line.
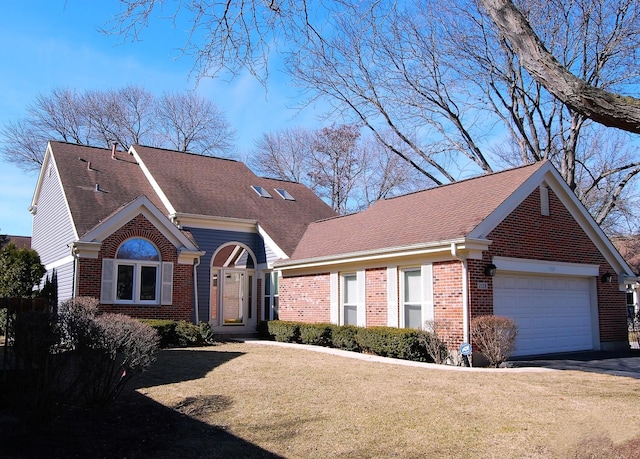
155, 233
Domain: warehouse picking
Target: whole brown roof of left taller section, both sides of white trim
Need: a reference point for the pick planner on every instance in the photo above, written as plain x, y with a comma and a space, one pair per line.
97, 185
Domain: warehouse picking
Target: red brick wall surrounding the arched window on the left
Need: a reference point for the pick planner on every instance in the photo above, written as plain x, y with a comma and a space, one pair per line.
91, 274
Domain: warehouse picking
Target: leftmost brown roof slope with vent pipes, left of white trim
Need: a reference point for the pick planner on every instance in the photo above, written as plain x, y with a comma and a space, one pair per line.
119, 181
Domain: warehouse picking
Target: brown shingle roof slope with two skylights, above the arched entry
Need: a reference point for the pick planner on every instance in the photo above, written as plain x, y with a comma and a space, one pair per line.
203, 185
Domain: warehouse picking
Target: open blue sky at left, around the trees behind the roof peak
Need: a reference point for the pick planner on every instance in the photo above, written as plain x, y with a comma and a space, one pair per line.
47, 44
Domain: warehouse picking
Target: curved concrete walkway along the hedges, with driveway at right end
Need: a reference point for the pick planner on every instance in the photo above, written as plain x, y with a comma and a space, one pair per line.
625, 363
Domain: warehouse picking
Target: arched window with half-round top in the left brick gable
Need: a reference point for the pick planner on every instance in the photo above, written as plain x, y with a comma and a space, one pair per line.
137, 272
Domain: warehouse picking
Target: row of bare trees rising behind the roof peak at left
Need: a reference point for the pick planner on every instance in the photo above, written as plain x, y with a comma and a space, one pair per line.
131, 115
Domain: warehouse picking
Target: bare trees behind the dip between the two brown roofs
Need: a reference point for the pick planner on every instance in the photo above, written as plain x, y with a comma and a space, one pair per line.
349, 171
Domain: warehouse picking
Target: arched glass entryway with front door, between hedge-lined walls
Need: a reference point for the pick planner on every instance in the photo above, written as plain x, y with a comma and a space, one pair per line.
233, 286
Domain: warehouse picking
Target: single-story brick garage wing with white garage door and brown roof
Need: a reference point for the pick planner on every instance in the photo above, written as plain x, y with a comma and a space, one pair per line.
516, 243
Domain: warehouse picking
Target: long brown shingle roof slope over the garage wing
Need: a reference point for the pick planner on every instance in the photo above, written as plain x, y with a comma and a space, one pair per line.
438, 214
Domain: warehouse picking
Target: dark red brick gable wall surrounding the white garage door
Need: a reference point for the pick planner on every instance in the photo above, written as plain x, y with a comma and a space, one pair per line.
526, 233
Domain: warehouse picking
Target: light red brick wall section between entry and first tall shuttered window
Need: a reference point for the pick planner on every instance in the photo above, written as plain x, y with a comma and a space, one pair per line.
305, 298
